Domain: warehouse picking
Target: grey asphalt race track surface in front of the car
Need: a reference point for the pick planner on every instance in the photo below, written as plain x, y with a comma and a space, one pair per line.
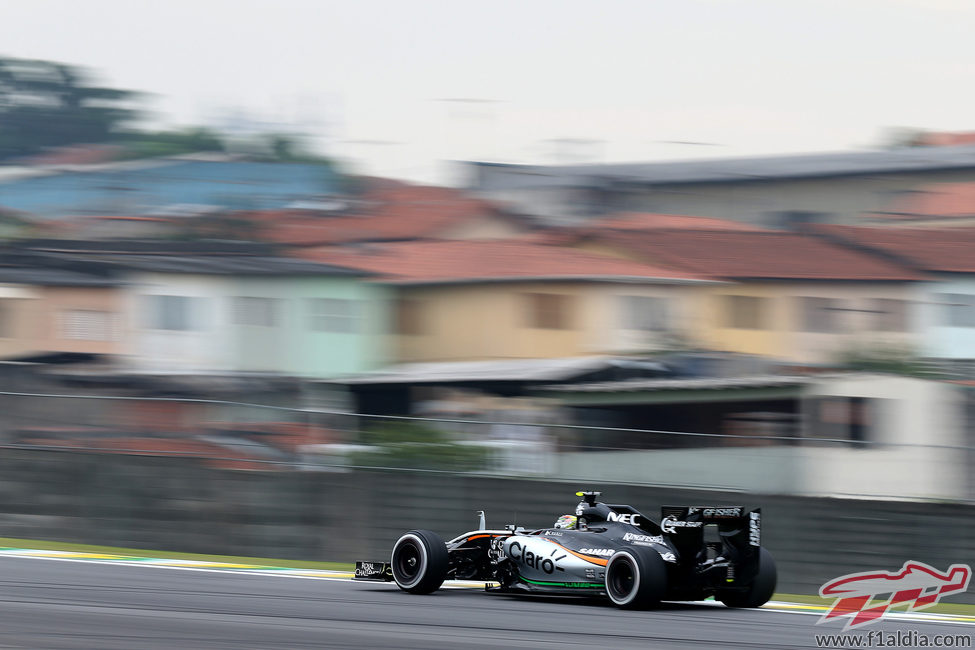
62, 604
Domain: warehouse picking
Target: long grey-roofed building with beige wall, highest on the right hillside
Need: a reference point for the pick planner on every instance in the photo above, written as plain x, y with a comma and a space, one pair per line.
772, 191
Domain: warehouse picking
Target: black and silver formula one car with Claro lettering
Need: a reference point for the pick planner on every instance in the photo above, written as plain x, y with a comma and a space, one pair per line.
603, 549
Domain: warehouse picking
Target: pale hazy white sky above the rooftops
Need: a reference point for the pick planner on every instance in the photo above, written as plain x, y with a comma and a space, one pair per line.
368, 77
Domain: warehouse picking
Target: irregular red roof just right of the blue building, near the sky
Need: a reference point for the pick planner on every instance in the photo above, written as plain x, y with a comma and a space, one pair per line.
389, 212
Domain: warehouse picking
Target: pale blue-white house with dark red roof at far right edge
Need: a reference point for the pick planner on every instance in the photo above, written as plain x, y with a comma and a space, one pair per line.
944, 314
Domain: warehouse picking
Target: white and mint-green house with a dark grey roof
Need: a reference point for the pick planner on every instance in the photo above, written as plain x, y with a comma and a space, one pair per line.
221, 307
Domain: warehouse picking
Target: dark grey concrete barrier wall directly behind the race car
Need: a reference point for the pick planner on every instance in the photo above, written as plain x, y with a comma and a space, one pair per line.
180, 504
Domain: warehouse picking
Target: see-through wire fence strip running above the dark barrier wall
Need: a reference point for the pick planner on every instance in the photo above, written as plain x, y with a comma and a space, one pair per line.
224, 434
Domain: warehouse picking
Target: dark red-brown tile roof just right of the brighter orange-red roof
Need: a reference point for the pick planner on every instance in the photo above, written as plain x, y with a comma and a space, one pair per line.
770, 255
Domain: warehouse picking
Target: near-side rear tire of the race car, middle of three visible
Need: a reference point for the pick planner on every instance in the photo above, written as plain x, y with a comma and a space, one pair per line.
636, 578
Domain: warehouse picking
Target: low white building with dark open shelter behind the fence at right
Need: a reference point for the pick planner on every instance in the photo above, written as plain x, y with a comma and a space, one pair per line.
853, 435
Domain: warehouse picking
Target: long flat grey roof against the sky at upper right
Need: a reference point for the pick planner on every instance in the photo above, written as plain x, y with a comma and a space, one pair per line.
724, 170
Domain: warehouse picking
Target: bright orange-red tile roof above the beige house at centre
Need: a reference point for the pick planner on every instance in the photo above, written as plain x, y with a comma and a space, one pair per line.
470, 261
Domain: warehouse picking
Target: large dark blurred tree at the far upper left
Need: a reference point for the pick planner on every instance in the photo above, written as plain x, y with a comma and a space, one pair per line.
45, 104
